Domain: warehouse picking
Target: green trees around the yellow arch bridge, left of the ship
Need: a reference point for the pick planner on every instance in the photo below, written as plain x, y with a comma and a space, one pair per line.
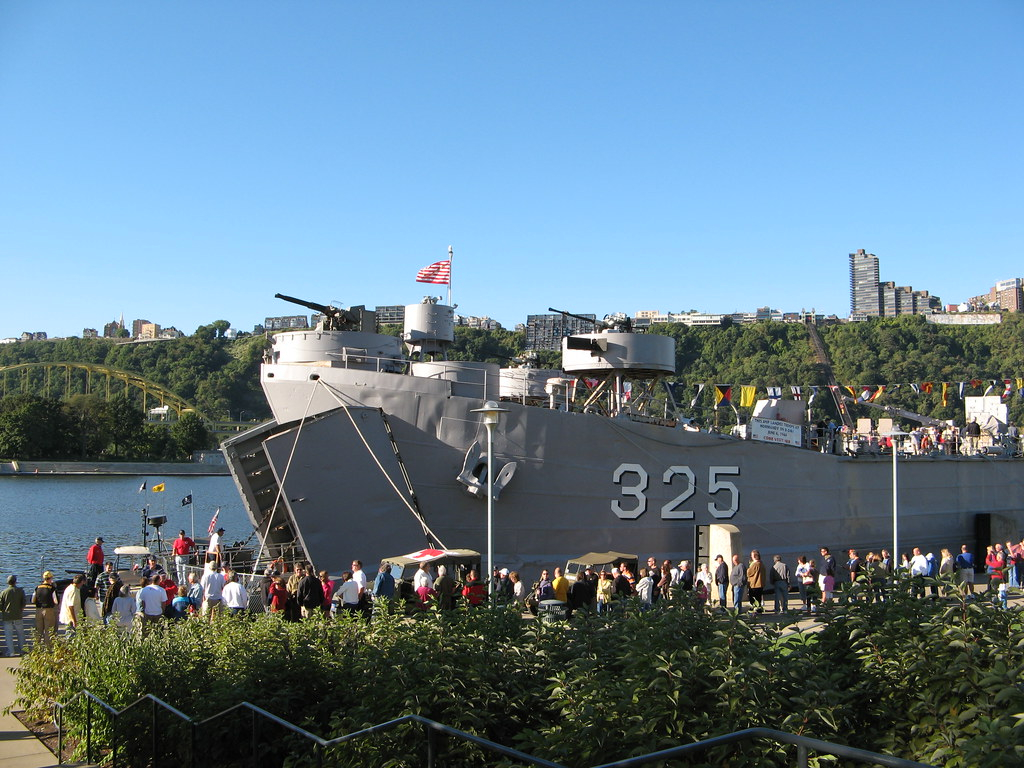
63, 418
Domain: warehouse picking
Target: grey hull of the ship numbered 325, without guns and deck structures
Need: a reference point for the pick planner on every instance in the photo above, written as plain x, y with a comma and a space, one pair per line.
366, 465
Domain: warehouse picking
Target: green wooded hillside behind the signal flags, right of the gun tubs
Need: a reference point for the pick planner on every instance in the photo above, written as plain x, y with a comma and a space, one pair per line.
902, 352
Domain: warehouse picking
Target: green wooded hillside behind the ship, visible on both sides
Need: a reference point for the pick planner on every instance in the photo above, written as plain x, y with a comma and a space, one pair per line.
221, 376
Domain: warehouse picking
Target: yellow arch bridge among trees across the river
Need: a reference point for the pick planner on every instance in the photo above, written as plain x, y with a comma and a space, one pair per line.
67, 379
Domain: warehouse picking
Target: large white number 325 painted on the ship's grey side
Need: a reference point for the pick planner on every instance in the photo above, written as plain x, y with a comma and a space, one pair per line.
634, 482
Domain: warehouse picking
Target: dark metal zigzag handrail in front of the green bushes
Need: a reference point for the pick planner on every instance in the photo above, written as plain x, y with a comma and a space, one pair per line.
805, 745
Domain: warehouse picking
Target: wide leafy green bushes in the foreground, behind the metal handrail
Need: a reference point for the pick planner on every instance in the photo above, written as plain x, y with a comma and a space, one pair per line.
934, 680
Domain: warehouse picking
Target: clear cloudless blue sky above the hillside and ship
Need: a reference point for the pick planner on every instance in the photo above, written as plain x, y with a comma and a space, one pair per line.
183, 162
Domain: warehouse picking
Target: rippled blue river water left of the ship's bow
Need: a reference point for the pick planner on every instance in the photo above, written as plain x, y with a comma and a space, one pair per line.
49, 523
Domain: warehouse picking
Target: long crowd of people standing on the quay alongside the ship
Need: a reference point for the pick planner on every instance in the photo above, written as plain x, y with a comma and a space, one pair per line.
302, 592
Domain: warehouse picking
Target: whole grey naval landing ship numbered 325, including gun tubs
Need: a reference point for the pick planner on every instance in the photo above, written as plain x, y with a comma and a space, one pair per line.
376, 450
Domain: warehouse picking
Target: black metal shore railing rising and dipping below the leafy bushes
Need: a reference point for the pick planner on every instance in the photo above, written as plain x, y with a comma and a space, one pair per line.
432, 730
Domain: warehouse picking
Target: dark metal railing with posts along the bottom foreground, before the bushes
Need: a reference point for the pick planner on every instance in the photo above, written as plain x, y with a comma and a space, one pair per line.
190, 752
